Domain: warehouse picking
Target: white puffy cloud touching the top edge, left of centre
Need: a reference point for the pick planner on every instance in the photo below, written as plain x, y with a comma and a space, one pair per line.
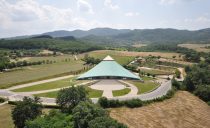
84, 6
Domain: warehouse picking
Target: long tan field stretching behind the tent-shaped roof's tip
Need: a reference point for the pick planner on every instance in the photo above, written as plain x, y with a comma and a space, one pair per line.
103, 53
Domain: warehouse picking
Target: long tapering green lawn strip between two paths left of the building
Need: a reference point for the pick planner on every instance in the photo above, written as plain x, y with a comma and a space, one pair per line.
49, 85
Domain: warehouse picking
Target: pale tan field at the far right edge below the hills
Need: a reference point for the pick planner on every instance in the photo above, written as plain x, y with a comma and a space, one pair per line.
196, 47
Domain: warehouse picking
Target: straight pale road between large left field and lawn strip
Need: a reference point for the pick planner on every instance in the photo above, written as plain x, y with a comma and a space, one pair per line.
39, 82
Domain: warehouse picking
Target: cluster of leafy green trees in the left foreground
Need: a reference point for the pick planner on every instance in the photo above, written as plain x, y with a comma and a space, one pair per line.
76, 111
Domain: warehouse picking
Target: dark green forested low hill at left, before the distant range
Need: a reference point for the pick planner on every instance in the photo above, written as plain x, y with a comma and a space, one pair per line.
68, 44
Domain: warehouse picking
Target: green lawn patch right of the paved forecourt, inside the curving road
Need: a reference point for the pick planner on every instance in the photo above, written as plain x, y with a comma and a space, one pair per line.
145, 86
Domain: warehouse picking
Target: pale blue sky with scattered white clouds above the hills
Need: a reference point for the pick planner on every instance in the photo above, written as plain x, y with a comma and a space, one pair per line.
26, 17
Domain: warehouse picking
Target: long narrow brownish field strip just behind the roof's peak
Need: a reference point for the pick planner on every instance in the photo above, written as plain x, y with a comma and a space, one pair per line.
127, 53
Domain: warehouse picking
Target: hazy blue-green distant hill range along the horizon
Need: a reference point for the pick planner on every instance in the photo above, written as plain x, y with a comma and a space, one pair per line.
127, 36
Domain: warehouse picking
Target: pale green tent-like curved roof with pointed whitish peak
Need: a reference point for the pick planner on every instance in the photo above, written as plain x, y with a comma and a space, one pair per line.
108, 68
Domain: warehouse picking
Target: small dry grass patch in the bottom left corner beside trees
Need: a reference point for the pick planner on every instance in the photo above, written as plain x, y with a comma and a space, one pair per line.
5, 116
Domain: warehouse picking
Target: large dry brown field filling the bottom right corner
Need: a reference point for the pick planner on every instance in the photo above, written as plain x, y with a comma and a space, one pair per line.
182, 111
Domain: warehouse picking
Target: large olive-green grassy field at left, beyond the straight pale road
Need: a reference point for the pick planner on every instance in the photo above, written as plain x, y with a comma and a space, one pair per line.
33, 73
